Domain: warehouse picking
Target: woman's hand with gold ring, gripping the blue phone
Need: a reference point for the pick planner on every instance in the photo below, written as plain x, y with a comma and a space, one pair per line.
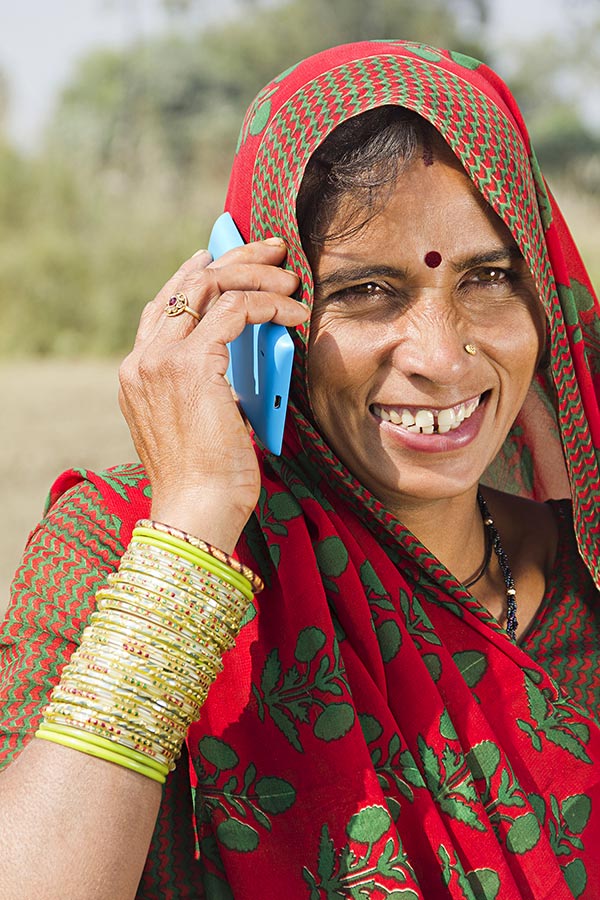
184, 420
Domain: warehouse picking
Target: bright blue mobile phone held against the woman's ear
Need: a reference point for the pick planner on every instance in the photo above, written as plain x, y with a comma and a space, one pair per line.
260, 359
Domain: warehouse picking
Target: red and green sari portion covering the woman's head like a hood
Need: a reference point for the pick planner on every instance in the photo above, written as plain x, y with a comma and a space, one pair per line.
477, 116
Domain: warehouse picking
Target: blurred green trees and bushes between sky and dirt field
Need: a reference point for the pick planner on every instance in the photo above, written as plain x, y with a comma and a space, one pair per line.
134, 165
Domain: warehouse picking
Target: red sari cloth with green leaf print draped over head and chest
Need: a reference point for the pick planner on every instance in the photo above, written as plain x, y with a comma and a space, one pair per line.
375, 733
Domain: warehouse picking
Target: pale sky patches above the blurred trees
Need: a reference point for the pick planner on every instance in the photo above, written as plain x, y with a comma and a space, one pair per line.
41, 40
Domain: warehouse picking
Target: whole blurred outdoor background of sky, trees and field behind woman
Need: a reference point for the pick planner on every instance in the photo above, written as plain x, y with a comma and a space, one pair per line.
118, 121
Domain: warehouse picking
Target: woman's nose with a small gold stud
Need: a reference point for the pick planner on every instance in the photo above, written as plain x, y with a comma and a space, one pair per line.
432, 343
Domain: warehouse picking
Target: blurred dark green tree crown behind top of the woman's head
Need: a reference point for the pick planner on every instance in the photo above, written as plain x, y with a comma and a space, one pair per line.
176, 103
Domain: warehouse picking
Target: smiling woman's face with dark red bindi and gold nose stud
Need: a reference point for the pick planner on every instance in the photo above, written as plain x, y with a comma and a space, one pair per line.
409, 411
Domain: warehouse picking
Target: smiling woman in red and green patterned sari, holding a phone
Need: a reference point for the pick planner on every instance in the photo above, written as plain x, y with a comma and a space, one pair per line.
410, 707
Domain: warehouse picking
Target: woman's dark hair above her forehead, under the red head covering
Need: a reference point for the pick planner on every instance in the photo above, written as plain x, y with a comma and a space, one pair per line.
360, 160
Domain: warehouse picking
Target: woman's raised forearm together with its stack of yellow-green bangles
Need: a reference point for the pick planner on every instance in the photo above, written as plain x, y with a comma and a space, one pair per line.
80, 826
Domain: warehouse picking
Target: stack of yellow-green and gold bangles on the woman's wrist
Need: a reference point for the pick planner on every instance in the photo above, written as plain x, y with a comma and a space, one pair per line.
150, 652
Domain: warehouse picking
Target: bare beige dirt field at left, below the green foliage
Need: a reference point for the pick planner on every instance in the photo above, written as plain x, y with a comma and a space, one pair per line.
55, 415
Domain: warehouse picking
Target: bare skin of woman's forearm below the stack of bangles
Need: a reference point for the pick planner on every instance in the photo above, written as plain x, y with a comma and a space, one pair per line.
73, 827
